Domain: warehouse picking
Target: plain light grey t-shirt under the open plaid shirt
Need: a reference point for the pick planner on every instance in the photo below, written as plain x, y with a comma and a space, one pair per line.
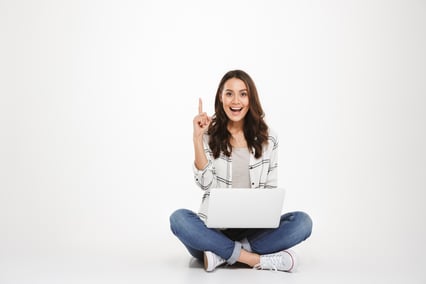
240, 169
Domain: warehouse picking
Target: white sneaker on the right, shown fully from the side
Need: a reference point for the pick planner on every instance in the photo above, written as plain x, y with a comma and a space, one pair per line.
283, 261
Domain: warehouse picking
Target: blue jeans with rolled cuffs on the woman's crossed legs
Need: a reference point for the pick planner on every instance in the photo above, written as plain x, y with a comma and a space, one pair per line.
187, 226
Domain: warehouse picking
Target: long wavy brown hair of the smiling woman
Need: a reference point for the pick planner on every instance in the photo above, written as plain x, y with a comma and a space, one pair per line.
255, 128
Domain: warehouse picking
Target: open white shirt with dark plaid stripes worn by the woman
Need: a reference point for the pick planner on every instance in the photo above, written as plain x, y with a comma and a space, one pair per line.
218, 172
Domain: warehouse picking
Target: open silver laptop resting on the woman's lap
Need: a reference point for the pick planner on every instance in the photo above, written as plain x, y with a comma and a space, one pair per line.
245, 208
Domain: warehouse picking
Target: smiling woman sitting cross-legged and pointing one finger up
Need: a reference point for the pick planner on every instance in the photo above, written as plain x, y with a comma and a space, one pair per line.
236, 148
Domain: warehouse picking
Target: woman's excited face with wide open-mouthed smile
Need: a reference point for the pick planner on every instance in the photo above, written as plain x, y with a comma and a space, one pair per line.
235, 99
